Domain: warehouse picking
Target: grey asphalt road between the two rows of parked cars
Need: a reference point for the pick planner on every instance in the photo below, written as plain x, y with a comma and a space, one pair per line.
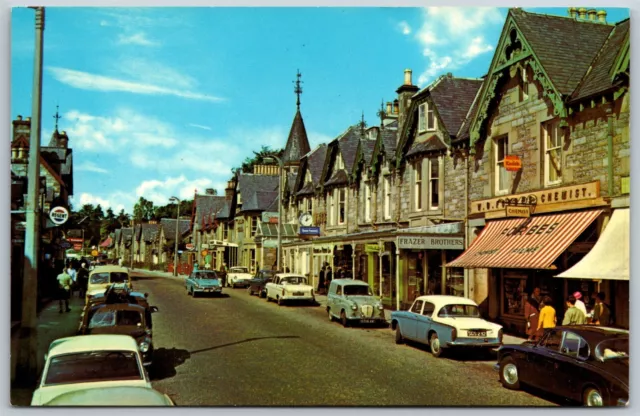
238, 350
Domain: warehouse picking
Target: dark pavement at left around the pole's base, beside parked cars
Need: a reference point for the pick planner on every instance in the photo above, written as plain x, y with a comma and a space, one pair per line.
51, 326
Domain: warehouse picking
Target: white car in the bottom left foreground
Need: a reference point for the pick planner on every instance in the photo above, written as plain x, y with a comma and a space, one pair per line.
90, 361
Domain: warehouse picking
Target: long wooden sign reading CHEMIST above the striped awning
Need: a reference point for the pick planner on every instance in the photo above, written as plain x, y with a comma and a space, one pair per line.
571, 193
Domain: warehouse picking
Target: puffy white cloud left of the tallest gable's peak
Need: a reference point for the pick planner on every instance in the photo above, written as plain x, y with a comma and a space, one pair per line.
452, 36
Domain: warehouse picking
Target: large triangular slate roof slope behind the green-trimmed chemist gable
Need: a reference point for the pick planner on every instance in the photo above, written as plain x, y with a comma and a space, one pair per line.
565, 46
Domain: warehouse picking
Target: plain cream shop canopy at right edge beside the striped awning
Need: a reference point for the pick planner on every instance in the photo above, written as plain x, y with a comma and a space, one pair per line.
609, 258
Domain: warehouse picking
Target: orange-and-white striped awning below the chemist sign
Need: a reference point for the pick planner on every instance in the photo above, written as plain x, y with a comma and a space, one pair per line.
525, 243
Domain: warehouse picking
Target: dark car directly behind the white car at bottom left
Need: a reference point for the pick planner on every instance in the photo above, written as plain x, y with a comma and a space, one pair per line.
123, 319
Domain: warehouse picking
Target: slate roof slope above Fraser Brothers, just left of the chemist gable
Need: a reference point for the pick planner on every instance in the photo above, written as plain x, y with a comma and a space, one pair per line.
453, 97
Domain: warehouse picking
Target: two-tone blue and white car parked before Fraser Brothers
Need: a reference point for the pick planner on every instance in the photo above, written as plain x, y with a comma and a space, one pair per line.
444, 322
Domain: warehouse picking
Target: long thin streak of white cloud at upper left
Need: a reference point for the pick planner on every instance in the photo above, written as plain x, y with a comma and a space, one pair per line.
94, 82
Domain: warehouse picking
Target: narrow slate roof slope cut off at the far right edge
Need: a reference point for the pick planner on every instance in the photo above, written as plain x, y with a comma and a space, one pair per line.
598, 79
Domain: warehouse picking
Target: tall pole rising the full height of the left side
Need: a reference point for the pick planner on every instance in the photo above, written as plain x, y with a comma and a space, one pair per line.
27, 365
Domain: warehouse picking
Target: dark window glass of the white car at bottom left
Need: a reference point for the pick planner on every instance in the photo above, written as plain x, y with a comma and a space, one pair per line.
94, 366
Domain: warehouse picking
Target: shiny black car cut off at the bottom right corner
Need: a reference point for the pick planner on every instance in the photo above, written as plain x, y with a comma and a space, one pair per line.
582, 363
